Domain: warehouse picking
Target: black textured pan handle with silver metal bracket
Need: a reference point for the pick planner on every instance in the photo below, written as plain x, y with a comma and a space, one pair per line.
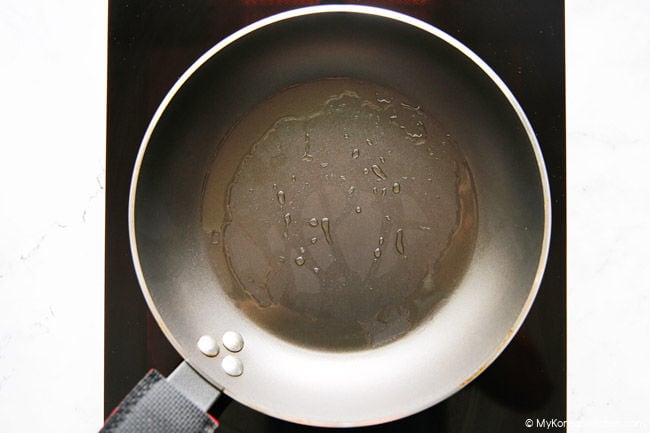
159, 405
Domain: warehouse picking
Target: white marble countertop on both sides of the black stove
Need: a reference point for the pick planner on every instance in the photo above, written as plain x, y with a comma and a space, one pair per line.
52, 144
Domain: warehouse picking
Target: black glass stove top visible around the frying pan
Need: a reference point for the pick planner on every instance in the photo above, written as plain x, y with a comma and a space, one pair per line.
151, 43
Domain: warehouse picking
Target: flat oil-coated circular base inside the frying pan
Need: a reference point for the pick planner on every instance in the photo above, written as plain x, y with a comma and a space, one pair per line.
339, 214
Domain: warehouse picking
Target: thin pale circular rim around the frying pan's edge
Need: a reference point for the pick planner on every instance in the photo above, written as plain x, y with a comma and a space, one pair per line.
362, 10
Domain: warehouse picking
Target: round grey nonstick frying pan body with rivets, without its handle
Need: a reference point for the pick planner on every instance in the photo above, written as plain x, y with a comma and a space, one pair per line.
339, 216
